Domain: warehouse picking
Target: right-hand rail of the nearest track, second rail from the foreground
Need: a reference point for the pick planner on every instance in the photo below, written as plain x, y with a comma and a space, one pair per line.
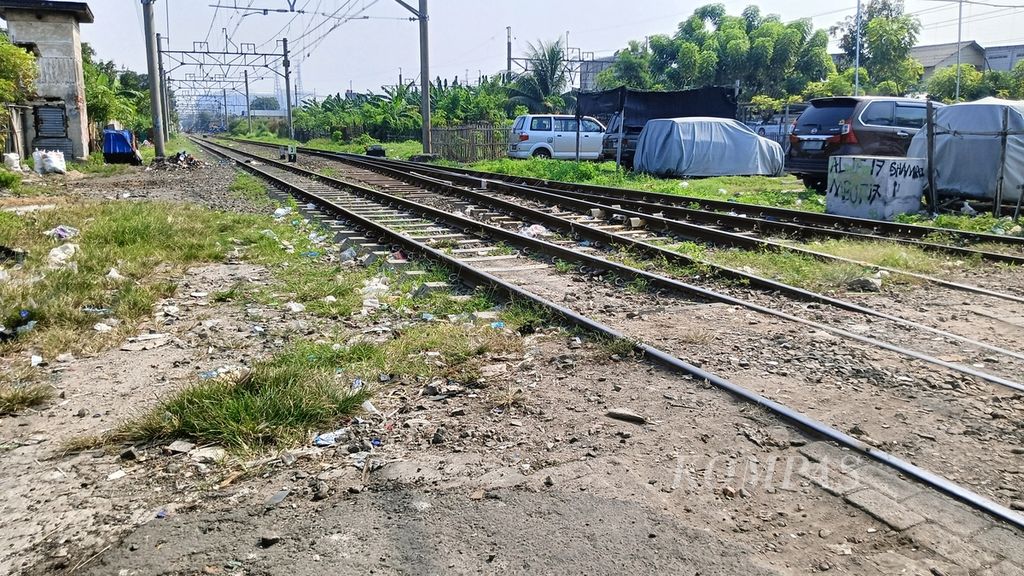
653, 279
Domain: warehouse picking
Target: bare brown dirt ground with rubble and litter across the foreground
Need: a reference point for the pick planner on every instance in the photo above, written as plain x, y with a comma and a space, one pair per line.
462, 483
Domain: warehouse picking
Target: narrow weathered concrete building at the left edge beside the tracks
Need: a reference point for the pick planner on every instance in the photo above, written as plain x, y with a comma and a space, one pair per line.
51, 30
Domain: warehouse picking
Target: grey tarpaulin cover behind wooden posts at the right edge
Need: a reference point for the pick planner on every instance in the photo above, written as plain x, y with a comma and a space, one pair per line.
968, 142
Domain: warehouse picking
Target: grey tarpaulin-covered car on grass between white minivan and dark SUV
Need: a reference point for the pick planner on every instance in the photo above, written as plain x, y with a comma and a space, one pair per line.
706, 147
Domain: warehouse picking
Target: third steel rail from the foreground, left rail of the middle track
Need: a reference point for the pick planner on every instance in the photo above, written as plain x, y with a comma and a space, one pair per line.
611, 238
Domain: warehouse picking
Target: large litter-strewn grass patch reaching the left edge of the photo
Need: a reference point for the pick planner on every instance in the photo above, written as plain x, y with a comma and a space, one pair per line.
151, 244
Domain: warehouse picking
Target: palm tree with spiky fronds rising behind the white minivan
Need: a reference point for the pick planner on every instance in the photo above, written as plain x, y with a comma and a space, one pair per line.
541, 89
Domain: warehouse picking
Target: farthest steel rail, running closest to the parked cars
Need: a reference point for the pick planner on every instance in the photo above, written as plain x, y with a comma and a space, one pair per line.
754, 211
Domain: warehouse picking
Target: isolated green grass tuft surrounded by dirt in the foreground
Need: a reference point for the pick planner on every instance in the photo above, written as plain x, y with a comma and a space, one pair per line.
280, 402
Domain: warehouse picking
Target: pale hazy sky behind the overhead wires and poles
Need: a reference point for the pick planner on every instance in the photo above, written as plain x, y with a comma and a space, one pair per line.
470, 34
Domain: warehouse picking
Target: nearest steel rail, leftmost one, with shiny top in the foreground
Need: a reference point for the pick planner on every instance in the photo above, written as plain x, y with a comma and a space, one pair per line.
476, 277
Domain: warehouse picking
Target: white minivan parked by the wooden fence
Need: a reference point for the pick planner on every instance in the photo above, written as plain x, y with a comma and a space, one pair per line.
553, 136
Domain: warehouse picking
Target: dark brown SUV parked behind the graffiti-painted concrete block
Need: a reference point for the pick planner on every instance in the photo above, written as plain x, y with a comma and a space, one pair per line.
851, 127
